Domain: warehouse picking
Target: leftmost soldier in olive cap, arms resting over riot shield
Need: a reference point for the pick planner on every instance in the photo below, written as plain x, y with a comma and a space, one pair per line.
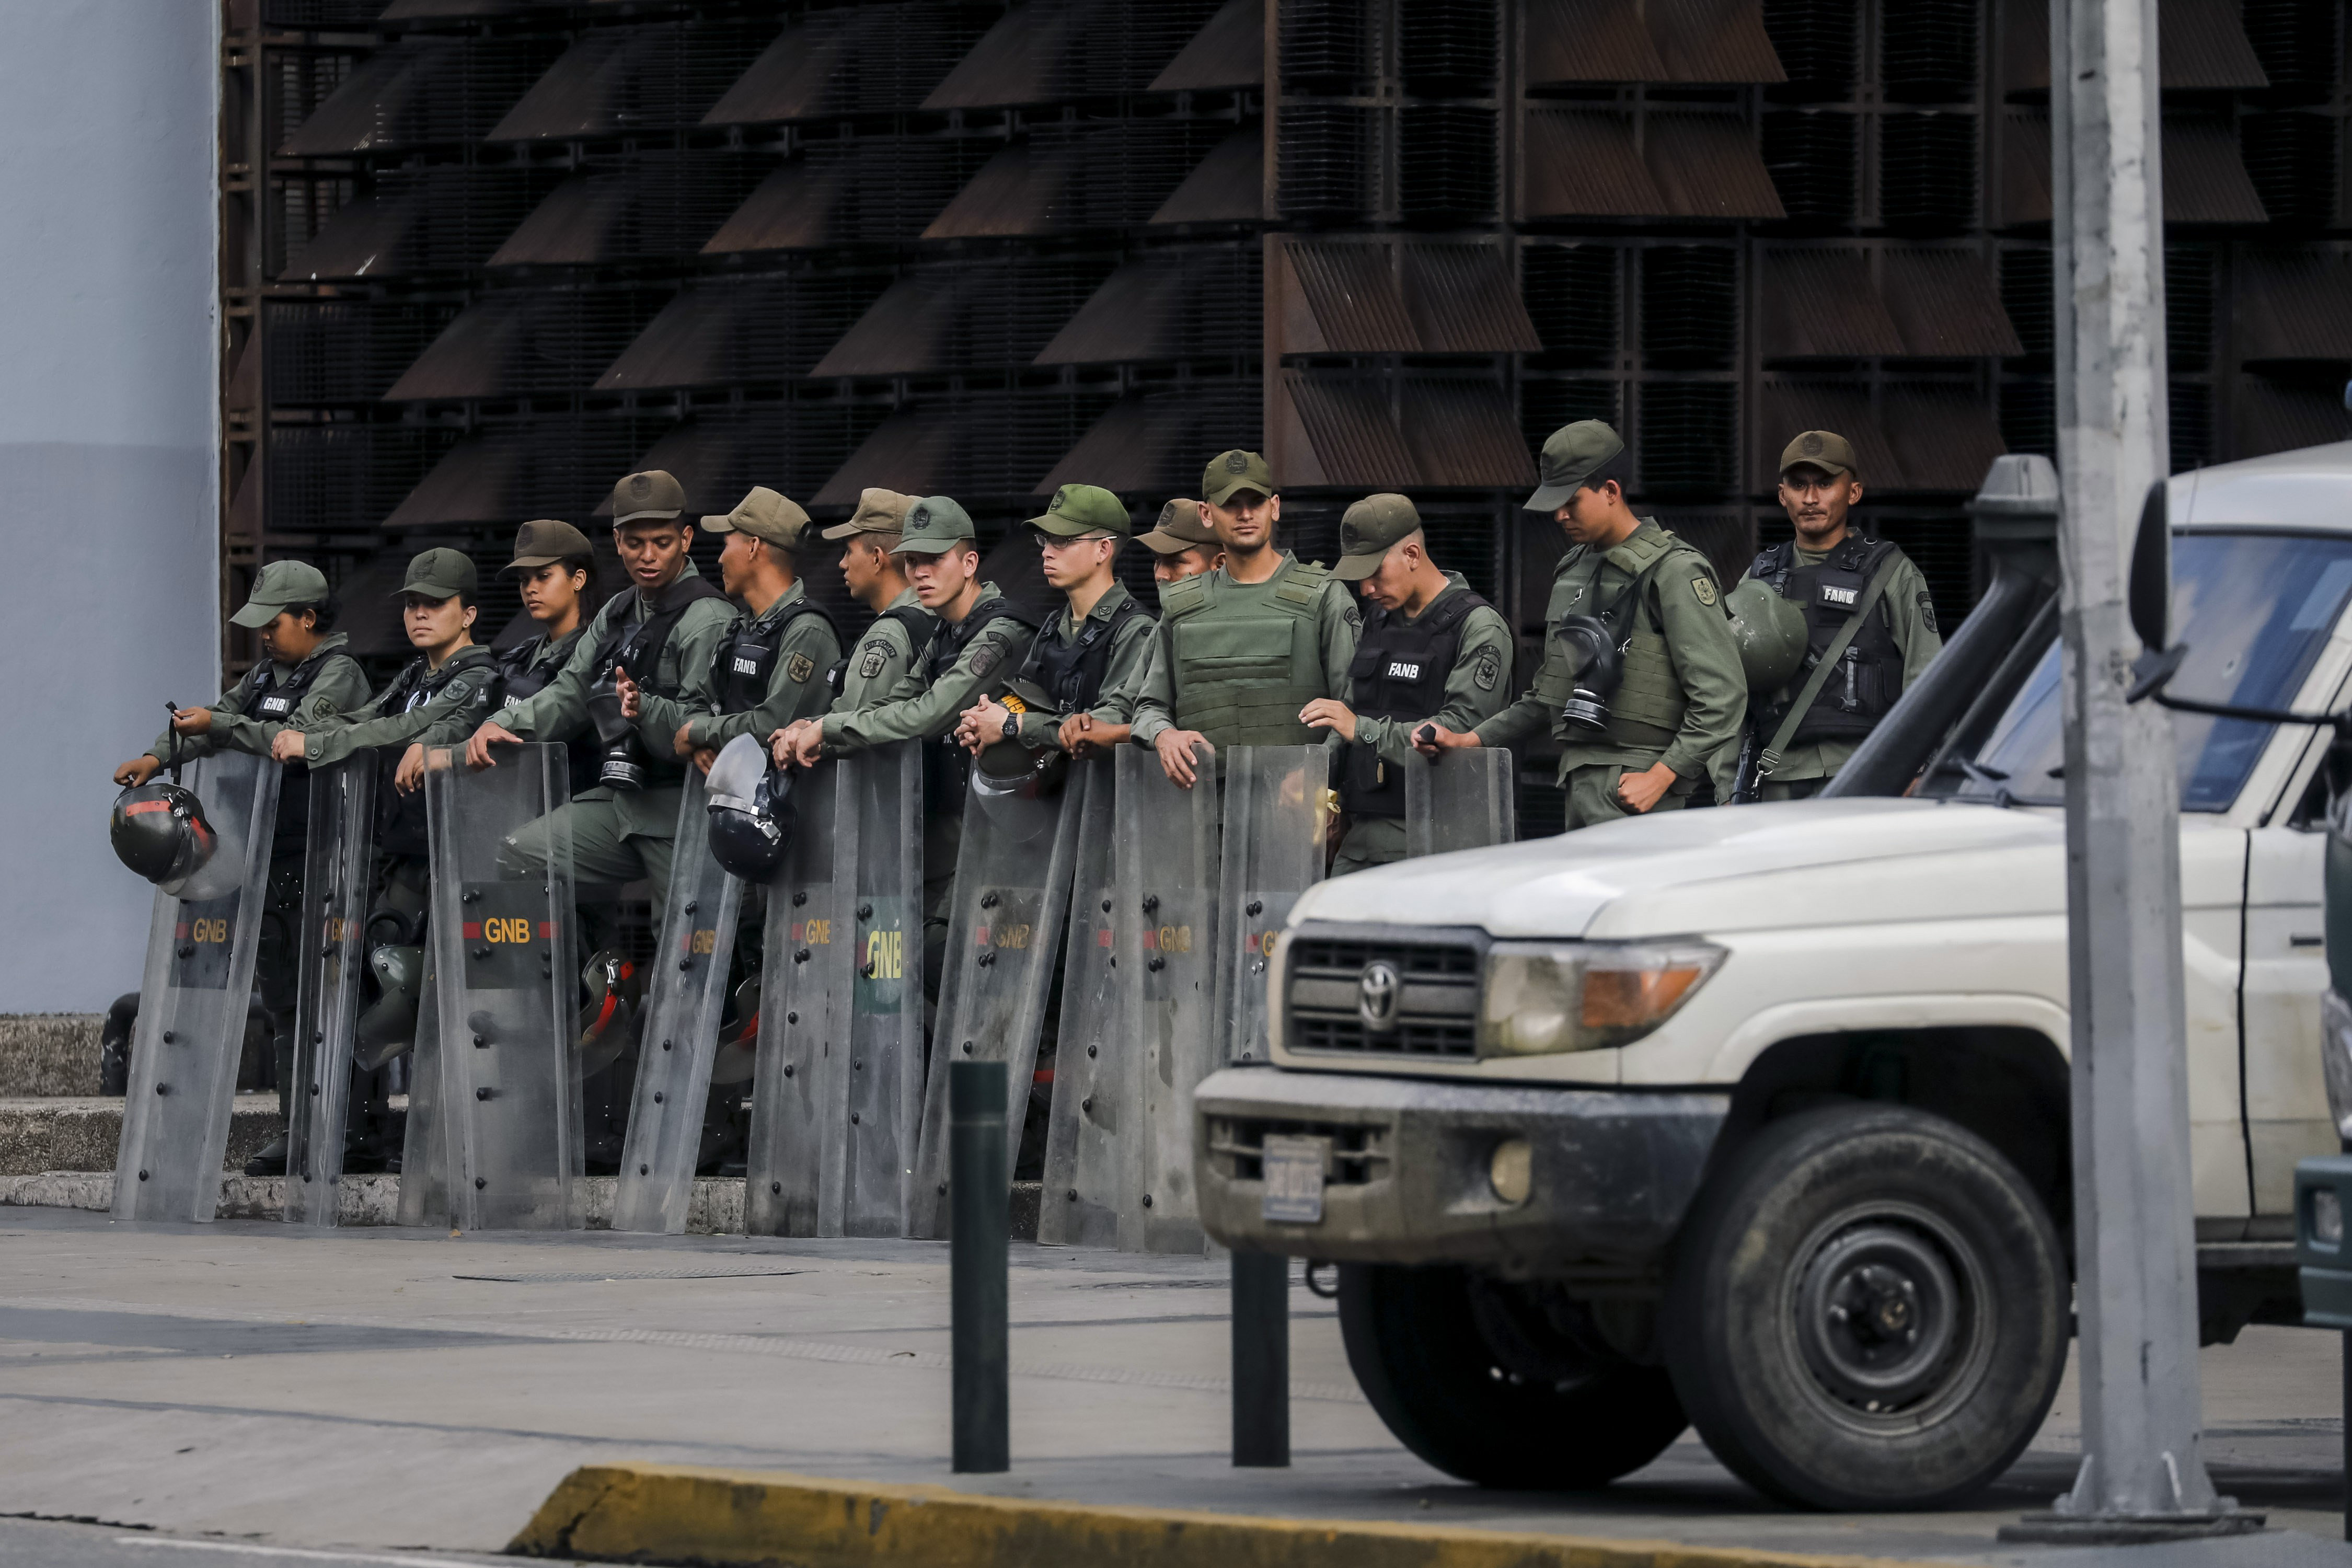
305, 678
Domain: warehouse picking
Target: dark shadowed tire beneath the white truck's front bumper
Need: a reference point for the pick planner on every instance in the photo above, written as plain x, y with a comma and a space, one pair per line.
1478, 1383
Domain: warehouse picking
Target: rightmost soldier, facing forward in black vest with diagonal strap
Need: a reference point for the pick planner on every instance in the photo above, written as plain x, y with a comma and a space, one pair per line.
1826, 570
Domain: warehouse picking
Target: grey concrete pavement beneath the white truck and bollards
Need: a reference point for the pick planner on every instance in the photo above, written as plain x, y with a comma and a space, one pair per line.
422, 1391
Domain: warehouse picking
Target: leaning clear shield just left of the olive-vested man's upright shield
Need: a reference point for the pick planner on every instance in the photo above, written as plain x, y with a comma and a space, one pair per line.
1085, 1148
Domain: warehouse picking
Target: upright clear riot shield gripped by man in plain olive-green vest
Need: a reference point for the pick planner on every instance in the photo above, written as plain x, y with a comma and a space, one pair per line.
1163, 944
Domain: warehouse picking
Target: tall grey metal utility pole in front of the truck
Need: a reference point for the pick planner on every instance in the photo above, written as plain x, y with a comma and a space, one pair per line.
2134, 1224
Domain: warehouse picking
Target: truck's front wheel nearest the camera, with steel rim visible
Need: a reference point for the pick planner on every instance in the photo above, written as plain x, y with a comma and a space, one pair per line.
1869, 1311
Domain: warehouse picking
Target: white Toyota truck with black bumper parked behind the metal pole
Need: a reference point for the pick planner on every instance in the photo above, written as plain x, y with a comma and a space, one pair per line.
1758, 1118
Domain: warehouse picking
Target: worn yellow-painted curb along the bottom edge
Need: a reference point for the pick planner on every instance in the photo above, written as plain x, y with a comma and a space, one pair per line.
695, 1515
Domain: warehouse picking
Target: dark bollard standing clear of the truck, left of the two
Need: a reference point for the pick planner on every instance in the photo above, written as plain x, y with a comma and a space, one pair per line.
980, 1221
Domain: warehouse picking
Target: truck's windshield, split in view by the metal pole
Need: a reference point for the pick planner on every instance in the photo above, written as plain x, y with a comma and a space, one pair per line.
2254, 610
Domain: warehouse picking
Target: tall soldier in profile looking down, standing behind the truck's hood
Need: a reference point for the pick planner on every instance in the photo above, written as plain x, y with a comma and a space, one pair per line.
1641, 737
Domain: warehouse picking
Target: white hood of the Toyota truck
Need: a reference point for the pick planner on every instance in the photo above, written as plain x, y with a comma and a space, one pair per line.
1786, 864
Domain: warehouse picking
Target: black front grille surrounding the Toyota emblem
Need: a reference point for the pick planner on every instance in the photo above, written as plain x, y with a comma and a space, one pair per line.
1436, 1012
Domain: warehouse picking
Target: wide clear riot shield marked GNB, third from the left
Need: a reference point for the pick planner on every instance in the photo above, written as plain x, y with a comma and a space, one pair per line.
509, 989
